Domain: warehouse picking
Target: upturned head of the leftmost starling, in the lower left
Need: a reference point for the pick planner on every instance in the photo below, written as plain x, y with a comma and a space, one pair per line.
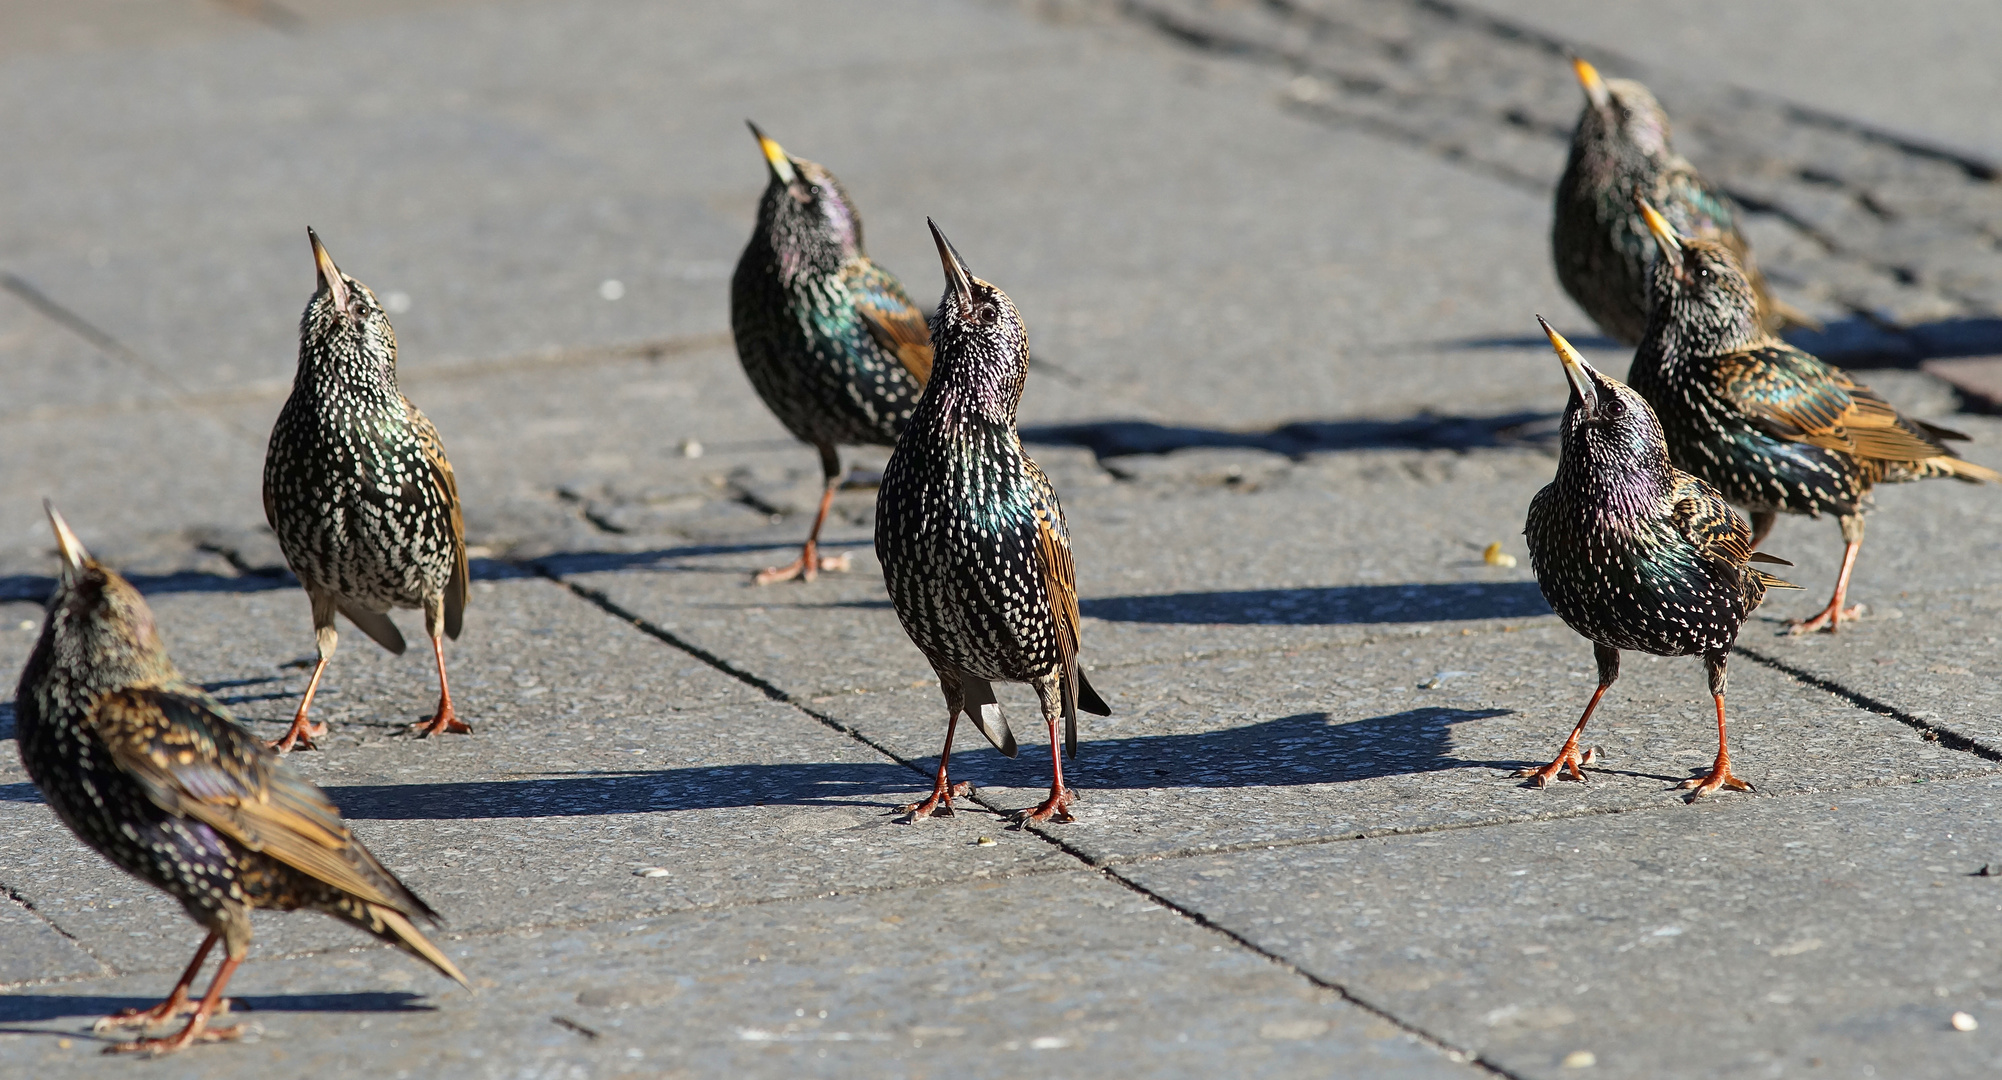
99, 630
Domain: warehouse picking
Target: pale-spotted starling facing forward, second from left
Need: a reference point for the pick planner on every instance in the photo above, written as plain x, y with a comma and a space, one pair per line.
359, 492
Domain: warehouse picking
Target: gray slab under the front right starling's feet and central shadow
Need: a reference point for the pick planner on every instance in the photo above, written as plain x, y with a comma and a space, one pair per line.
1398, 736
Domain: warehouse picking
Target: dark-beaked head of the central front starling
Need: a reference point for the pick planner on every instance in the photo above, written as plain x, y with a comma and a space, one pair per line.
978, 338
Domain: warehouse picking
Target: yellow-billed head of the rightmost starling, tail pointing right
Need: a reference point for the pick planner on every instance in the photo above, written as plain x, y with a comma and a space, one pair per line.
1699, 294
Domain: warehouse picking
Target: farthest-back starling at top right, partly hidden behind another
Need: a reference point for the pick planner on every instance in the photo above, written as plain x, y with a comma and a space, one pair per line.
1621, 153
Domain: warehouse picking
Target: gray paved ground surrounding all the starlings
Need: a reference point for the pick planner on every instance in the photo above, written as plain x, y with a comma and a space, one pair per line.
1280, 267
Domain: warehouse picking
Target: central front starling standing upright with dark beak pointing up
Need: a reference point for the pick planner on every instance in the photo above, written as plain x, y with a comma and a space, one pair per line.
972, 540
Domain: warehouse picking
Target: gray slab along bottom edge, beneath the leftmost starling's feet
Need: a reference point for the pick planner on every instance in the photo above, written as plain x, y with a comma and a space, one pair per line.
1060, 975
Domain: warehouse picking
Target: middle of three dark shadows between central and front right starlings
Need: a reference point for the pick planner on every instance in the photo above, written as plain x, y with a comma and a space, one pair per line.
1330, 606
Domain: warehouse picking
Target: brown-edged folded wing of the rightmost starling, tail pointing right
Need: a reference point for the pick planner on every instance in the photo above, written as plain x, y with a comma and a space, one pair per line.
1799, 398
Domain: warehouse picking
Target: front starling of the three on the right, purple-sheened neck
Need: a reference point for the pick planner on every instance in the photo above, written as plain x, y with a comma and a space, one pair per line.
1637, 554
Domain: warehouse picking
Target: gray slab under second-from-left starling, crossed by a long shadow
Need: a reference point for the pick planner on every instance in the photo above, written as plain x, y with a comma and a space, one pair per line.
598, 754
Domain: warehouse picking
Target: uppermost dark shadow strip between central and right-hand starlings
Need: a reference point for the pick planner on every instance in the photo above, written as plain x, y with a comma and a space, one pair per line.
1302, 438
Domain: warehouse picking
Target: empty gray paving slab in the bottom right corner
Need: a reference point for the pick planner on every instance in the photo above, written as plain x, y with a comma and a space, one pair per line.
1801, 937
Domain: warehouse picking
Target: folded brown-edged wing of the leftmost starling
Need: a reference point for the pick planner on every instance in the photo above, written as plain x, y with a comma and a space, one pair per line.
195, 762
